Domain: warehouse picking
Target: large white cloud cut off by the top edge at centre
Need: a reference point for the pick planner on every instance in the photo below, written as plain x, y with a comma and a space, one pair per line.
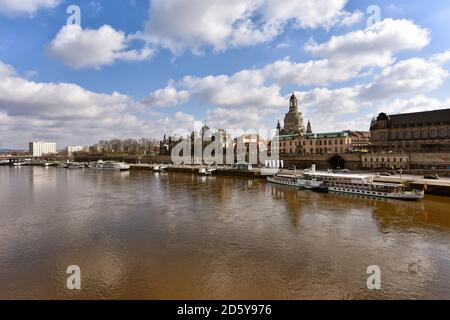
180, 25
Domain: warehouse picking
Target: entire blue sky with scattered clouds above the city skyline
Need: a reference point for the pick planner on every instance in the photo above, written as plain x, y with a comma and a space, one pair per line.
75, 72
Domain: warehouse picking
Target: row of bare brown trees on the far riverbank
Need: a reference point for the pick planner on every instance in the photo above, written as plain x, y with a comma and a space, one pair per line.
142, 146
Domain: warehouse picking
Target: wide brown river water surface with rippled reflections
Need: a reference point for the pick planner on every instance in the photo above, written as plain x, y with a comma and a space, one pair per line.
152, 236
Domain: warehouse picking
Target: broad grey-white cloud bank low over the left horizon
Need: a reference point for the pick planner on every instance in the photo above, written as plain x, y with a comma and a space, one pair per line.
70, 114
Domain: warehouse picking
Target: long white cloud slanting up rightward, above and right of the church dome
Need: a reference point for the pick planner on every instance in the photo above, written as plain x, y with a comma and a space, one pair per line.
348, 56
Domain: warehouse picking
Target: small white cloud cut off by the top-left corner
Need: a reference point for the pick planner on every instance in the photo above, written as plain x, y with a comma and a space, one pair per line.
25, 7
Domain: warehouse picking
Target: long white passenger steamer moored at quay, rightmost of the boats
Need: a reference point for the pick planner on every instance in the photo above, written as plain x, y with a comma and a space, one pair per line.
364, 185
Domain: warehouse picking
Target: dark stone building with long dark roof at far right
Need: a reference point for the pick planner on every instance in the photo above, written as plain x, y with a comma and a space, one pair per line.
412, 132
